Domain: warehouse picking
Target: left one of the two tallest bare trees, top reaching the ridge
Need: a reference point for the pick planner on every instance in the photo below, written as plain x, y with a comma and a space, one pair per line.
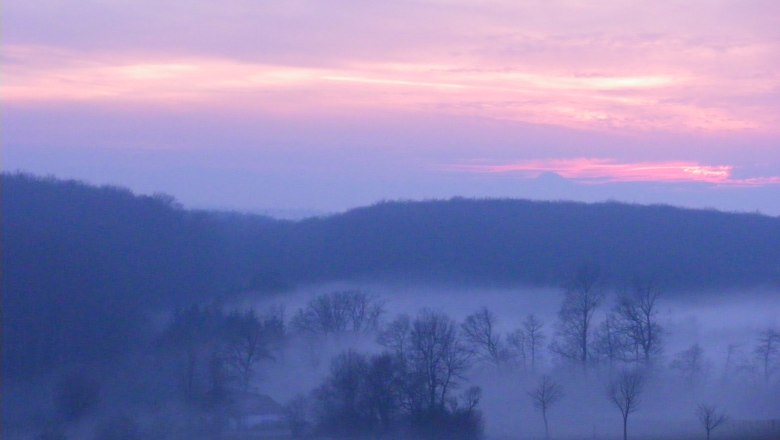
583, 295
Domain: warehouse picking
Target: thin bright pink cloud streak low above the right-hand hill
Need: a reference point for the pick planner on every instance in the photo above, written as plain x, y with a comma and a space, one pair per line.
595, 171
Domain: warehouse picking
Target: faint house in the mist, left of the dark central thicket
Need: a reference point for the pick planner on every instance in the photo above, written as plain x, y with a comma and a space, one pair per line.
258, 416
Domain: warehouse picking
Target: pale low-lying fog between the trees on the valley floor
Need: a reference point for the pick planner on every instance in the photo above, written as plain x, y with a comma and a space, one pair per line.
726, 326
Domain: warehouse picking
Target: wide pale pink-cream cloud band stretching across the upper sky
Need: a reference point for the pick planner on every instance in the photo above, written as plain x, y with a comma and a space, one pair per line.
605, 100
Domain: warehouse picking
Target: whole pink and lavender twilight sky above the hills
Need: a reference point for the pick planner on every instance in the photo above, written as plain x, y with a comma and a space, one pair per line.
300, 106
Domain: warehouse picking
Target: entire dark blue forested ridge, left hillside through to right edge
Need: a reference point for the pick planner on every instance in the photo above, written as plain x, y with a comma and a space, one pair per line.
85, 267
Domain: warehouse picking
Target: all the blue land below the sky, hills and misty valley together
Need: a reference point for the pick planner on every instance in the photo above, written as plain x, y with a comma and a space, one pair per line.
127, 316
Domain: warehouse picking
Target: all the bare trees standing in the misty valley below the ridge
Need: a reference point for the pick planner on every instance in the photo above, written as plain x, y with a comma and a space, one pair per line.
413, 376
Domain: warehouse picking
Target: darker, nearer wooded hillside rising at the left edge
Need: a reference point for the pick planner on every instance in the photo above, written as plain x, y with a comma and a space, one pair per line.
82, 264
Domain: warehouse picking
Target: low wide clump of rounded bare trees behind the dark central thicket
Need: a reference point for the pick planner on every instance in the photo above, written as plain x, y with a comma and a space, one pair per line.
340, 312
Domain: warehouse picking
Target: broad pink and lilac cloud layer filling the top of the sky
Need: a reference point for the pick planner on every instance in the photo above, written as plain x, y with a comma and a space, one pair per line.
607, 66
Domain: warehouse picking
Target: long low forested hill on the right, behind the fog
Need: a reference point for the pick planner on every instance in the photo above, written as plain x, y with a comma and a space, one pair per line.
506, 241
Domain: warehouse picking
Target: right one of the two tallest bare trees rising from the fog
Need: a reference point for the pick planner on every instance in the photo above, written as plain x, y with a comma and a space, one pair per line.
637, 319
